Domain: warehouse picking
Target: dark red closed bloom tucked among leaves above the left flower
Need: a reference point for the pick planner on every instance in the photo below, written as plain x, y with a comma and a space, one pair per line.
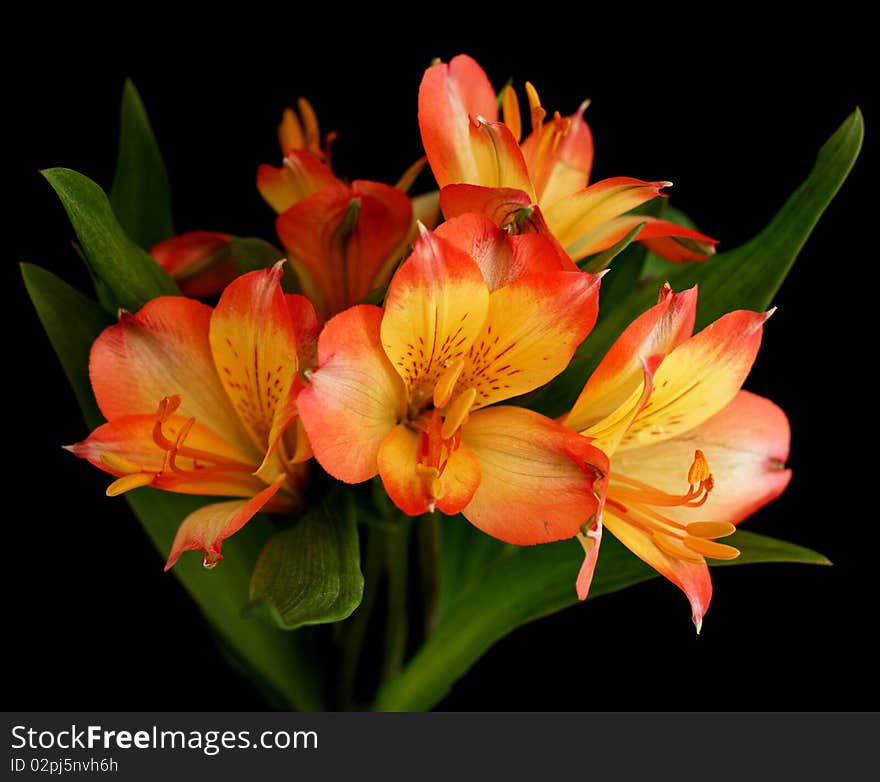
200, 262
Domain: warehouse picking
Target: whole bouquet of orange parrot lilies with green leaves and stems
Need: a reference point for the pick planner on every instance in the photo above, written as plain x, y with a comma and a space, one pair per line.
411, 421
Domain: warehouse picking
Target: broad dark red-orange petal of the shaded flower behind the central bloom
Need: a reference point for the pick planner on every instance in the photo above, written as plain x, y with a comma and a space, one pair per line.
342, 239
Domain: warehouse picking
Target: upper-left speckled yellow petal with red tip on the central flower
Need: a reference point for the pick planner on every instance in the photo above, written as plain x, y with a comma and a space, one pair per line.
435, 307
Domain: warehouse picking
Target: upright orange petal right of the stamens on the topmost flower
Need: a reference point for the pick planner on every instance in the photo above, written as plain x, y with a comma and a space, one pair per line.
559, 157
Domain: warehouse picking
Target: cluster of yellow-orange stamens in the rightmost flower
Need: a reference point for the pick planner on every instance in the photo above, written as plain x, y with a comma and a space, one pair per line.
637, 503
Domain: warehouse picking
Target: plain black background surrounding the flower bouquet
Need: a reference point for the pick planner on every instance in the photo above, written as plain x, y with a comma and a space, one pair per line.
729, 108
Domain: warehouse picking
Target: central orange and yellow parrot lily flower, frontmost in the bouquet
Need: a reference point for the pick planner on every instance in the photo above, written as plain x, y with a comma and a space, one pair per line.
472, 317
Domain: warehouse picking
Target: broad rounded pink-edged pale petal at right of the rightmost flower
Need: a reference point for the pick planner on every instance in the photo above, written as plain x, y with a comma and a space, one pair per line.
746, 446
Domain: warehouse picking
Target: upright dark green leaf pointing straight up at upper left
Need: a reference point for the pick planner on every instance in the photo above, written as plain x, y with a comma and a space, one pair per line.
140, 194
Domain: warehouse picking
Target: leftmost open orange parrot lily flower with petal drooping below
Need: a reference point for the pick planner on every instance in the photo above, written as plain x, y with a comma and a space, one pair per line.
203, 401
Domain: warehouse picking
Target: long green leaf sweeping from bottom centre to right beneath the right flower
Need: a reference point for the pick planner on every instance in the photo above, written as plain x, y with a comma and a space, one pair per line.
512, 589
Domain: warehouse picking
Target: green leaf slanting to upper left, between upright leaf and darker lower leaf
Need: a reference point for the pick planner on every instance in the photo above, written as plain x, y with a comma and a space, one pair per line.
130, 275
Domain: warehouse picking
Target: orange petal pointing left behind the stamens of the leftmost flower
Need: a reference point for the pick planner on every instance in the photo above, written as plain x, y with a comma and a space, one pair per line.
126, 446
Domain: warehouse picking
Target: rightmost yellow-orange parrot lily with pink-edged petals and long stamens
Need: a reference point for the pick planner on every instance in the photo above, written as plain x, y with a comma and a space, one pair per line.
668, 410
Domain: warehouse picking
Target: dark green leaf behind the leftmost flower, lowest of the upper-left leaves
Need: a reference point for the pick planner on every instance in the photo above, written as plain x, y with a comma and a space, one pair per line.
73, 322
